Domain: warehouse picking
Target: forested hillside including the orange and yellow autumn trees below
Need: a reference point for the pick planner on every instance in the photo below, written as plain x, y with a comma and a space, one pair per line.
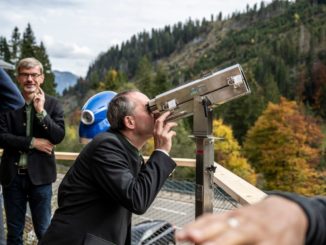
282, 49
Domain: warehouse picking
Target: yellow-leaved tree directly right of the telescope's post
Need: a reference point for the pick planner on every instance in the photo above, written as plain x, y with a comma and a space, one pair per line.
227, 152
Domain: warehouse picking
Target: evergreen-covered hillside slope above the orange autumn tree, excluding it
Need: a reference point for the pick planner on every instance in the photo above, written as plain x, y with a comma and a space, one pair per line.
281, 46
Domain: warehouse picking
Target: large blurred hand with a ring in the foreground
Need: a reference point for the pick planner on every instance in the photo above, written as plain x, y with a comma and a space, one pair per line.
275, 220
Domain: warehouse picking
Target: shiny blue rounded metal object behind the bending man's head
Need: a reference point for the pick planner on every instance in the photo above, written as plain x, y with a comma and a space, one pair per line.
93, 116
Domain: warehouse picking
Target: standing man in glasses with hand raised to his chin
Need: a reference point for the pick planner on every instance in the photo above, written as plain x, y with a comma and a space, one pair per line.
28, 136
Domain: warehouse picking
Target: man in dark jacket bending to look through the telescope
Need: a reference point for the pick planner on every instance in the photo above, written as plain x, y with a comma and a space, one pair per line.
109, 180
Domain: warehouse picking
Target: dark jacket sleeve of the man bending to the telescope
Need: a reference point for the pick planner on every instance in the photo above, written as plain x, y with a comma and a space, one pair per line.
112, 169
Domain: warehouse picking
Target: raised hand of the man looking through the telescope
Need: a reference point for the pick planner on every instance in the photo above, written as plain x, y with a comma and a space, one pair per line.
163, 133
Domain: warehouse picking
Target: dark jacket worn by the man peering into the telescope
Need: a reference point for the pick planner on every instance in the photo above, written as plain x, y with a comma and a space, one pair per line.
105, 185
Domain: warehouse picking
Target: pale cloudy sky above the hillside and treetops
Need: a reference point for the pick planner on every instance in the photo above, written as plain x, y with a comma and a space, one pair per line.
75, 32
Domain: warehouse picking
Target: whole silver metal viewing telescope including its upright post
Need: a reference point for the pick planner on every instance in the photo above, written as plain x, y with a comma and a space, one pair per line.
197, 99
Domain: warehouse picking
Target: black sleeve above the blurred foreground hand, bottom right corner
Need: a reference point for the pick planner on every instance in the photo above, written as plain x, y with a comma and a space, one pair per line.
315, 209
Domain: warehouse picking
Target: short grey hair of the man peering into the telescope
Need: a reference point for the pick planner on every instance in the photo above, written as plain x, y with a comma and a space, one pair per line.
119, 107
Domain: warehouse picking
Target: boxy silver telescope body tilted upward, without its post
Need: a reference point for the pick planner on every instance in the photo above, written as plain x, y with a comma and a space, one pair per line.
213, 89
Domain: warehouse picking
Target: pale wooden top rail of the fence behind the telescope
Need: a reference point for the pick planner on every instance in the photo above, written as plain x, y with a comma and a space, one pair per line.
239, 189
